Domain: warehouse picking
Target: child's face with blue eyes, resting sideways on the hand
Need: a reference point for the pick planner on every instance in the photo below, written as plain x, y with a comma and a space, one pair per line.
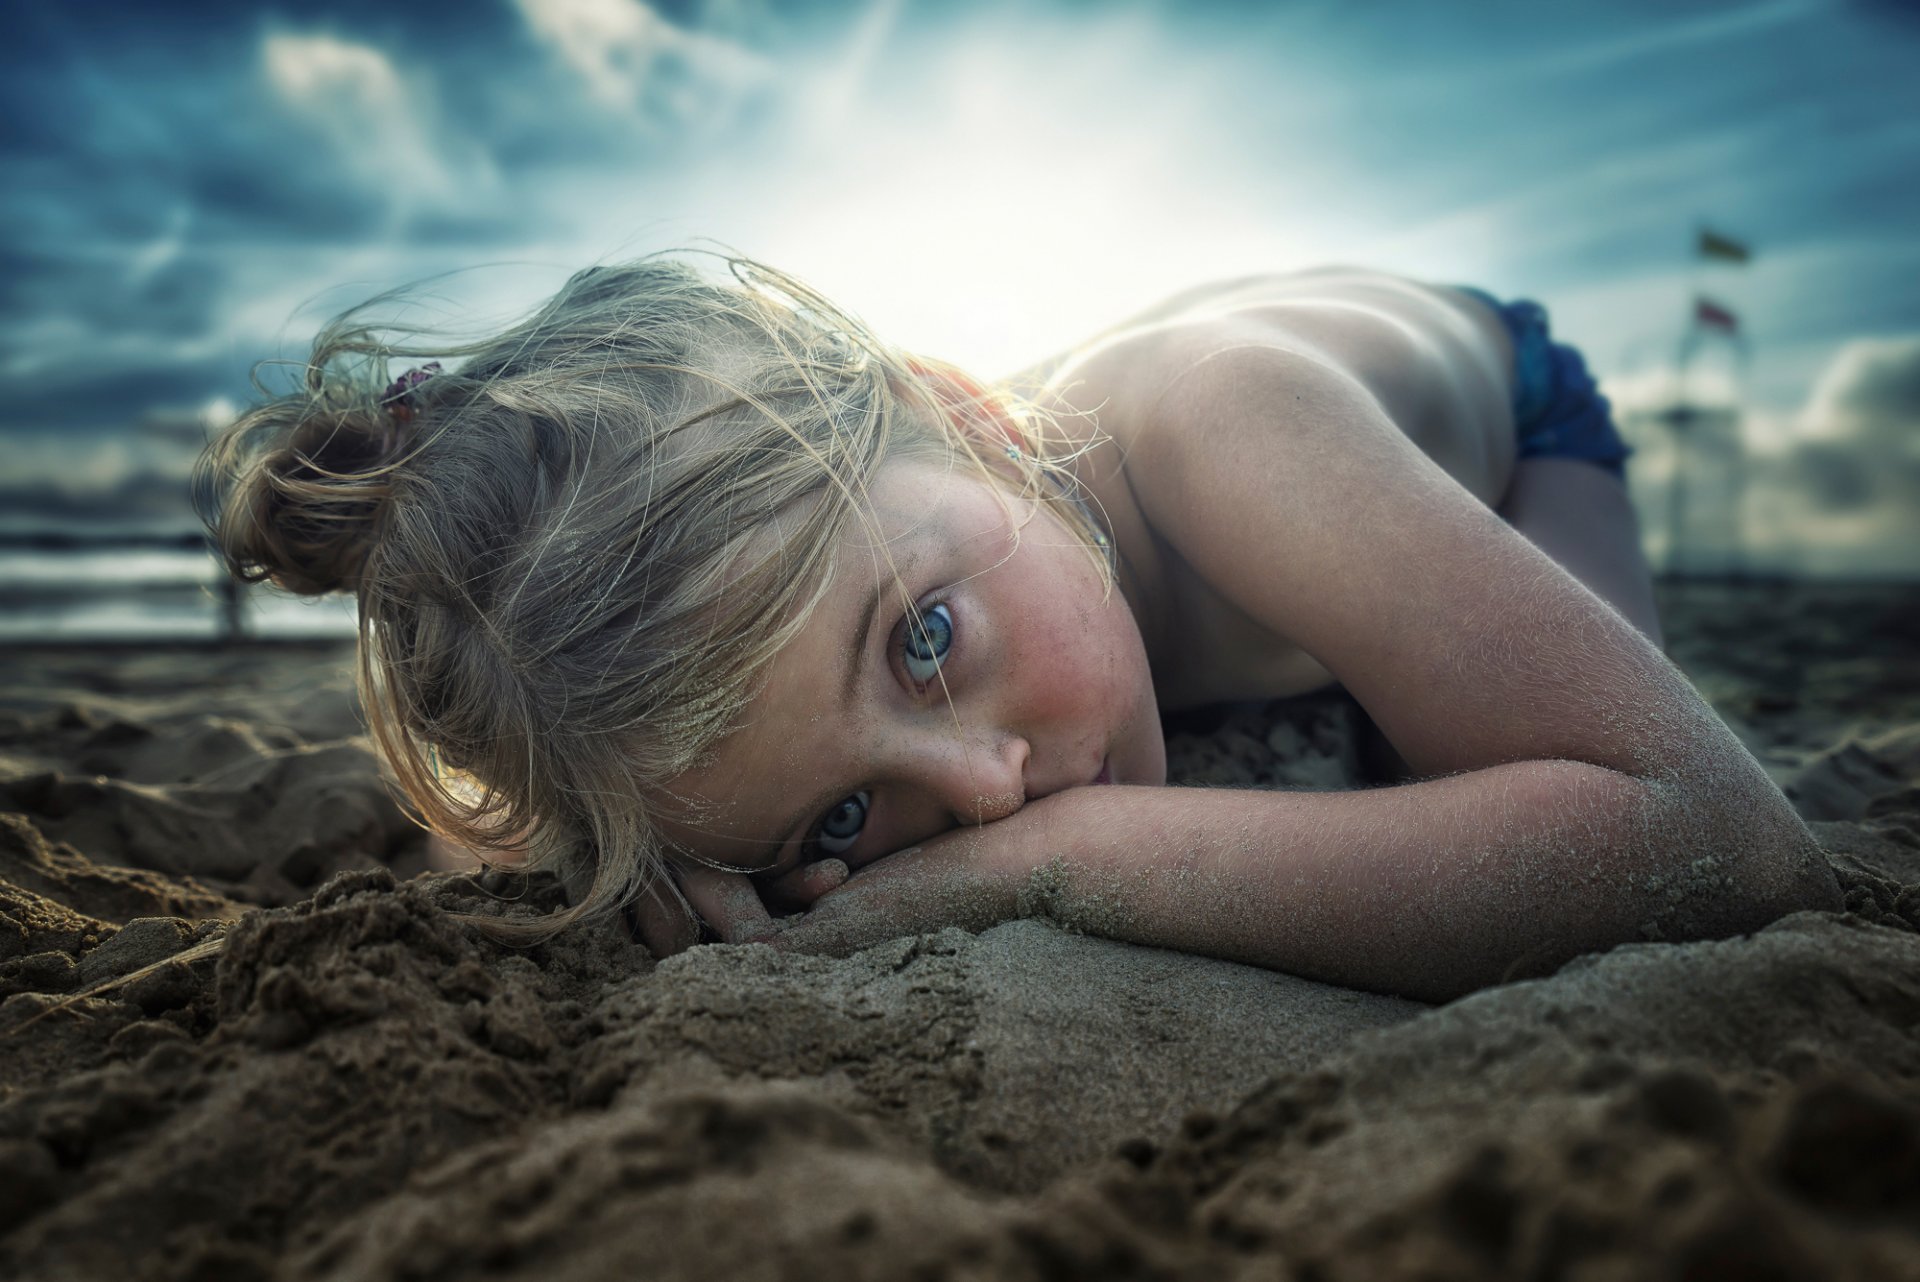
876, 734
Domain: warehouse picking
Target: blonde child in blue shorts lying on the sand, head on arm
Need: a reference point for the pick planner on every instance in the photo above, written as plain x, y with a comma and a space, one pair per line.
696, 586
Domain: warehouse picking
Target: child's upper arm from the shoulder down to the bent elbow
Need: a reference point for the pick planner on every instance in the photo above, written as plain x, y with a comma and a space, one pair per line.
1280, 481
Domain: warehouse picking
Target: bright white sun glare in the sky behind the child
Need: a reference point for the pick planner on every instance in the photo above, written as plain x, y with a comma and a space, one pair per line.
1001, 206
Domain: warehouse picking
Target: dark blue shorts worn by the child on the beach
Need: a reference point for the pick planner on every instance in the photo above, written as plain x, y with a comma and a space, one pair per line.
1556, 404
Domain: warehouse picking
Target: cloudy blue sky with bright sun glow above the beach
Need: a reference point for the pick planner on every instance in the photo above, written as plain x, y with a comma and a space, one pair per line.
187, 191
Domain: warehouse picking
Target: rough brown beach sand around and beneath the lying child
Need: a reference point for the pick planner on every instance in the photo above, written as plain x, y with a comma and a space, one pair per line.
358, 1087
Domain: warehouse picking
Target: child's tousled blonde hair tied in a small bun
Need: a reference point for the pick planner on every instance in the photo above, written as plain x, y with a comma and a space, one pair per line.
552, 540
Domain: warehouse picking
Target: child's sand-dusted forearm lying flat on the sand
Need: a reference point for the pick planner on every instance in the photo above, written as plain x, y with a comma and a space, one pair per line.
1429, 890
